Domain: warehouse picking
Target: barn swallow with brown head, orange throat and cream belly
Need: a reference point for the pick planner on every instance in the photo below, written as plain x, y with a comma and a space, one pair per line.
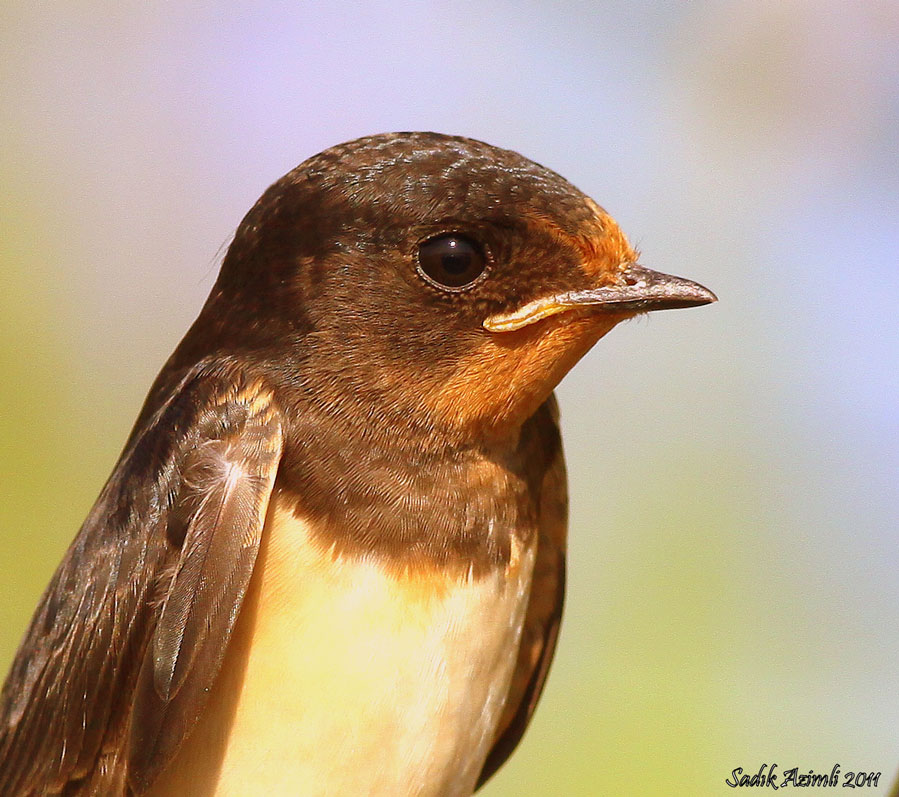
330, 560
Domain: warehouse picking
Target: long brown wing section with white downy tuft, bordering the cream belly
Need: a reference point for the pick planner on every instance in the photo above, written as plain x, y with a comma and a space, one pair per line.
205, 595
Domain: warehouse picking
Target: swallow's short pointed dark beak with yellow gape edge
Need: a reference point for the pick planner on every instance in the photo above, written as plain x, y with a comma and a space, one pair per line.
638, 290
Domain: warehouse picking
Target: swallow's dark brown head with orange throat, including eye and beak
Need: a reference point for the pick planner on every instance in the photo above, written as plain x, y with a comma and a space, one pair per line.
433, 278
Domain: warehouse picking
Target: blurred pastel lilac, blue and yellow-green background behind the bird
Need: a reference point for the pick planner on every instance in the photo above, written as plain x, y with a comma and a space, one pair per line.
734, 469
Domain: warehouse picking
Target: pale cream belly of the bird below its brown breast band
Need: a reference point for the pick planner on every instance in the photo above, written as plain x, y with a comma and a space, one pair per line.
344, 679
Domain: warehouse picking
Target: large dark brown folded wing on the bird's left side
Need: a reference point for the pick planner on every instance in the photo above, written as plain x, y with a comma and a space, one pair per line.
131, 632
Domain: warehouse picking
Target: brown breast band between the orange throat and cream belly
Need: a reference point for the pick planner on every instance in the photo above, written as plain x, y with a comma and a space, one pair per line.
405, 495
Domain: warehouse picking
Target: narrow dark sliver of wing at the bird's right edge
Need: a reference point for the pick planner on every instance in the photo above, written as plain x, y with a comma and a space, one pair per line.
544, 612
